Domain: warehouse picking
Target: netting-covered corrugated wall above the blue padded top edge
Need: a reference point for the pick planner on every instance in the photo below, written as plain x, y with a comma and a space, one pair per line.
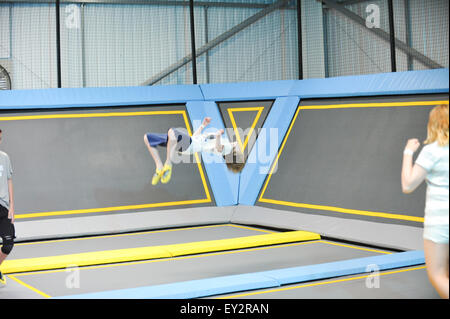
138, 42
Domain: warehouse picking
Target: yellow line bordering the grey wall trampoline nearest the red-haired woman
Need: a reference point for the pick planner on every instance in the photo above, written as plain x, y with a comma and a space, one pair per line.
332, 208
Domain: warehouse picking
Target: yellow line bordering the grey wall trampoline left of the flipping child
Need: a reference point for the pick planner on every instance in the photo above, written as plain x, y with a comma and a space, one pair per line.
115, 208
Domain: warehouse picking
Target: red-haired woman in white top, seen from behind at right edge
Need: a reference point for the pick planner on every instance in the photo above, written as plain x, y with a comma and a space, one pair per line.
432, 165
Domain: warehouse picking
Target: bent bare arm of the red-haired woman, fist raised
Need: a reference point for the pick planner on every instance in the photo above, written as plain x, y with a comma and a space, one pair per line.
412, 175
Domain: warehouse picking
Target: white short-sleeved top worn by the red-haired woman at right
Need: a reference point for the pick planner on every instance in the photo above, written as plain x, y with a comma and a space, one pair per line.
434, 159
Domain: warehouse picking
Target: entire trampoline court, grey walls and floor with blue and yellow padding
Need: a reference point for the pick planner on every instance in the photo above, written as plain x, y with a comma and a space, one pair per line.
317, 227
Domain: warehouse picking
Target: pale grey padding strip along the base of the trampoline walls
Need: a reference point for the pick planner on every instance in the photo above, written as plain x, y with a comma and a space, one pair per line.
365, 232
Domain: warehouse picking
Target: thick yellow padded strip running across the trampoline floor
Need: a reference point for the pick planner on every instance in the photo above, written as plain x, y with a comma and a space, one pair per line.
153, 252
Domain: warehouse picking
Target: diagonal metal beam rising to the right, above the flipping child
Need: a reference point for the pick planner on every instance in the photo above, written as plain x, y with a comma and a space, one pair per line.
221, 38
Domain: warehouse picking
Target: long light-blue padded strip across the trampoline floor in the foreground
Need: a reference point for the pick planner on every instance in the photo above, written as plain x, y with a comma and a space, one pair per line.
260, 280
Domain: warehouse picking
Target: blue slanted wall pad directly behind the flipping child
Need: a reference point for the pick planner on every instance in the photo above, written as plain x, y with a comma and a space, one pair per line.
224, 184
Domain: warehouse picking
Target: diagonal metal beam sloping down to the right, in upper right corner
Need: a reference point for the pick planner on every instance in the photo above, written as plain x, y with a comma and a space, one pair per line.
382, 34
